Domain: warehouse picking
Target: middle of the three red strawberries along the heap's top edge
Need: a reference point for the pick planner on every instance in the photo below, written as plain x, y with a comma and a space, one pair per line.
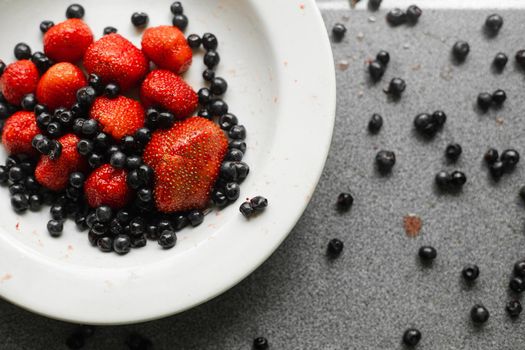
116, 60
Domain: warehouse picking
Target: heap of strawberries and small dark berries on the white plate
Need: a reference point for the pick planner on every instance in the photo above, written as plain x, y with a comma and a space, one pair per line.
125, 170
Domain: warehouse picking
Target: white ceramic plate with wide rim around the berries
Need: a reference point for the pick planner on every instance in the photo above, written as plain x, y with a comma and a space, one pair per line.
277, 60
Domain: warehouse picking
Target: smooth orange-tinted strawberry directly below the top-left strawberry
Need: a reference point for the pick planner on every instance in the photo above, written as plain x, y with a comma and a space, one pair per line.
58, 86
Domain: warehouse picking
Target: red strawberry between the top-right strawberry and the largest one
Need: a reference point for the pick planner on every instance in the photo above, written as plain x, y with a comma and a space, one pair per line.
165, 89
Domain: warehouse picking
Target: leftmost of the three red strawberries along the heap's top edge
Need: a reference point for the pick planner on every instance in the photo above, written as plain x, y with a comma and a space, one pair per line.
67, 41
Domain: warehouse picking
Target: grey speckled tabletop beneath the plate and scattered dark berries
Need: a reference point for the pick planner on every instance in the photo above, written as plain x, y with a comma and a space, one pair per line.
365, 299
